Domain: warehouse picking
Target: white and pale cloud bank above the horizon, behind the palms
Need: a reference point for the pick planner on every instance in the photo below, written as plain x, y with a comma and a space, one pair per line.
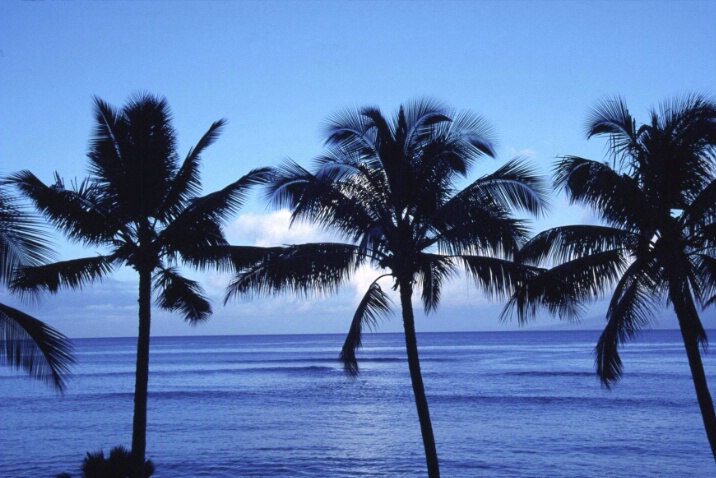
108, 308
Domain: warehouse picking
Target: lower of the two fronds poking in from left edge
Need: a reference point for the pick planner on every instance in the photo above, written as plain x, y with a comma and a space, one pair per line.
33, 346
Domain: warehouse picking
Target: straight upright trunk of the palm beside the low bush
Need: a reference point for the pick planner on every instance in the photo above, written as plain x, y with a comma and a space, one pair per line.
139, 426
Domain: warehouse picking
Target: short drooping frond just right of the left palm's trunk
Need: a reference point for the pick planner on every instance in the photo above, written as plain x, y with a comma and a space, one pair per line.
177, 293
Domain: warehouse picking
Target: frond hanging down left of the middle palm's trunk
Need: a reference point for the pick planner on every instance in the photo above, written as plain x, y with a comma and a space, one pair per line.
374, 305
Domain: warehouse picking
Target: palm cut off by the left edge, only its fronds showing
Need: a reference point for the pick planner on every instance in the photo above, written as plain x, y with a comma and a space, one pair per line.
26, 342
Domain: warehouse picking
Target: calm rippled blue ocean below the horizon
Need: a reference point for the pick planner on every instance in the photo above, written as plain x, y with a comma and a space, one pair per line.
512, 404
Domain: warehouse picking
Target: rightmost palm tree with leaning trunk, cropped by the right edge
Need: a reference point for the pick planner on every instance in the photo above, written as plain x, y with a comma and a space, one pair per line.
657, 240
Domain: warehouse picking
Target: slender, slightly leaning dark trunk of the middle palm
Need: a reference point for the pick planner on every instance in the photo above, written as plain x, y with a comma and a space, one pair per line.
421, 402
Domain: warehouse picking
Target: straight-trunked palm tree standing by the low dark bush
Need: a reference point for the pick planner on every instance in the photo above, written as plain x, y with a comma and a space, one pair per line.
142, 205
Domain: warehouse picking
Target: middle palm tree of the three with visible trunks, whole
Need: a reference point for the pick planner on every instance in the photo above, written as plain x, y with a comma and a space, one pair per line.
388, 189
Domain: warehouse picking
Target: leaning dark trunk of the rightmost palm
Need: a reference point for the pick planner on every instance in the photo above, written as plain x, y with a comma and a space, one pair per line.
686, 313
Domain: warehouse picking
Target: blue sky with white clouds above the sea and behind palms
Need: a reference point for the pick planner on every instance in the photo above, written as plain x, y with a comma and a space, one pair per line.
277, 70
